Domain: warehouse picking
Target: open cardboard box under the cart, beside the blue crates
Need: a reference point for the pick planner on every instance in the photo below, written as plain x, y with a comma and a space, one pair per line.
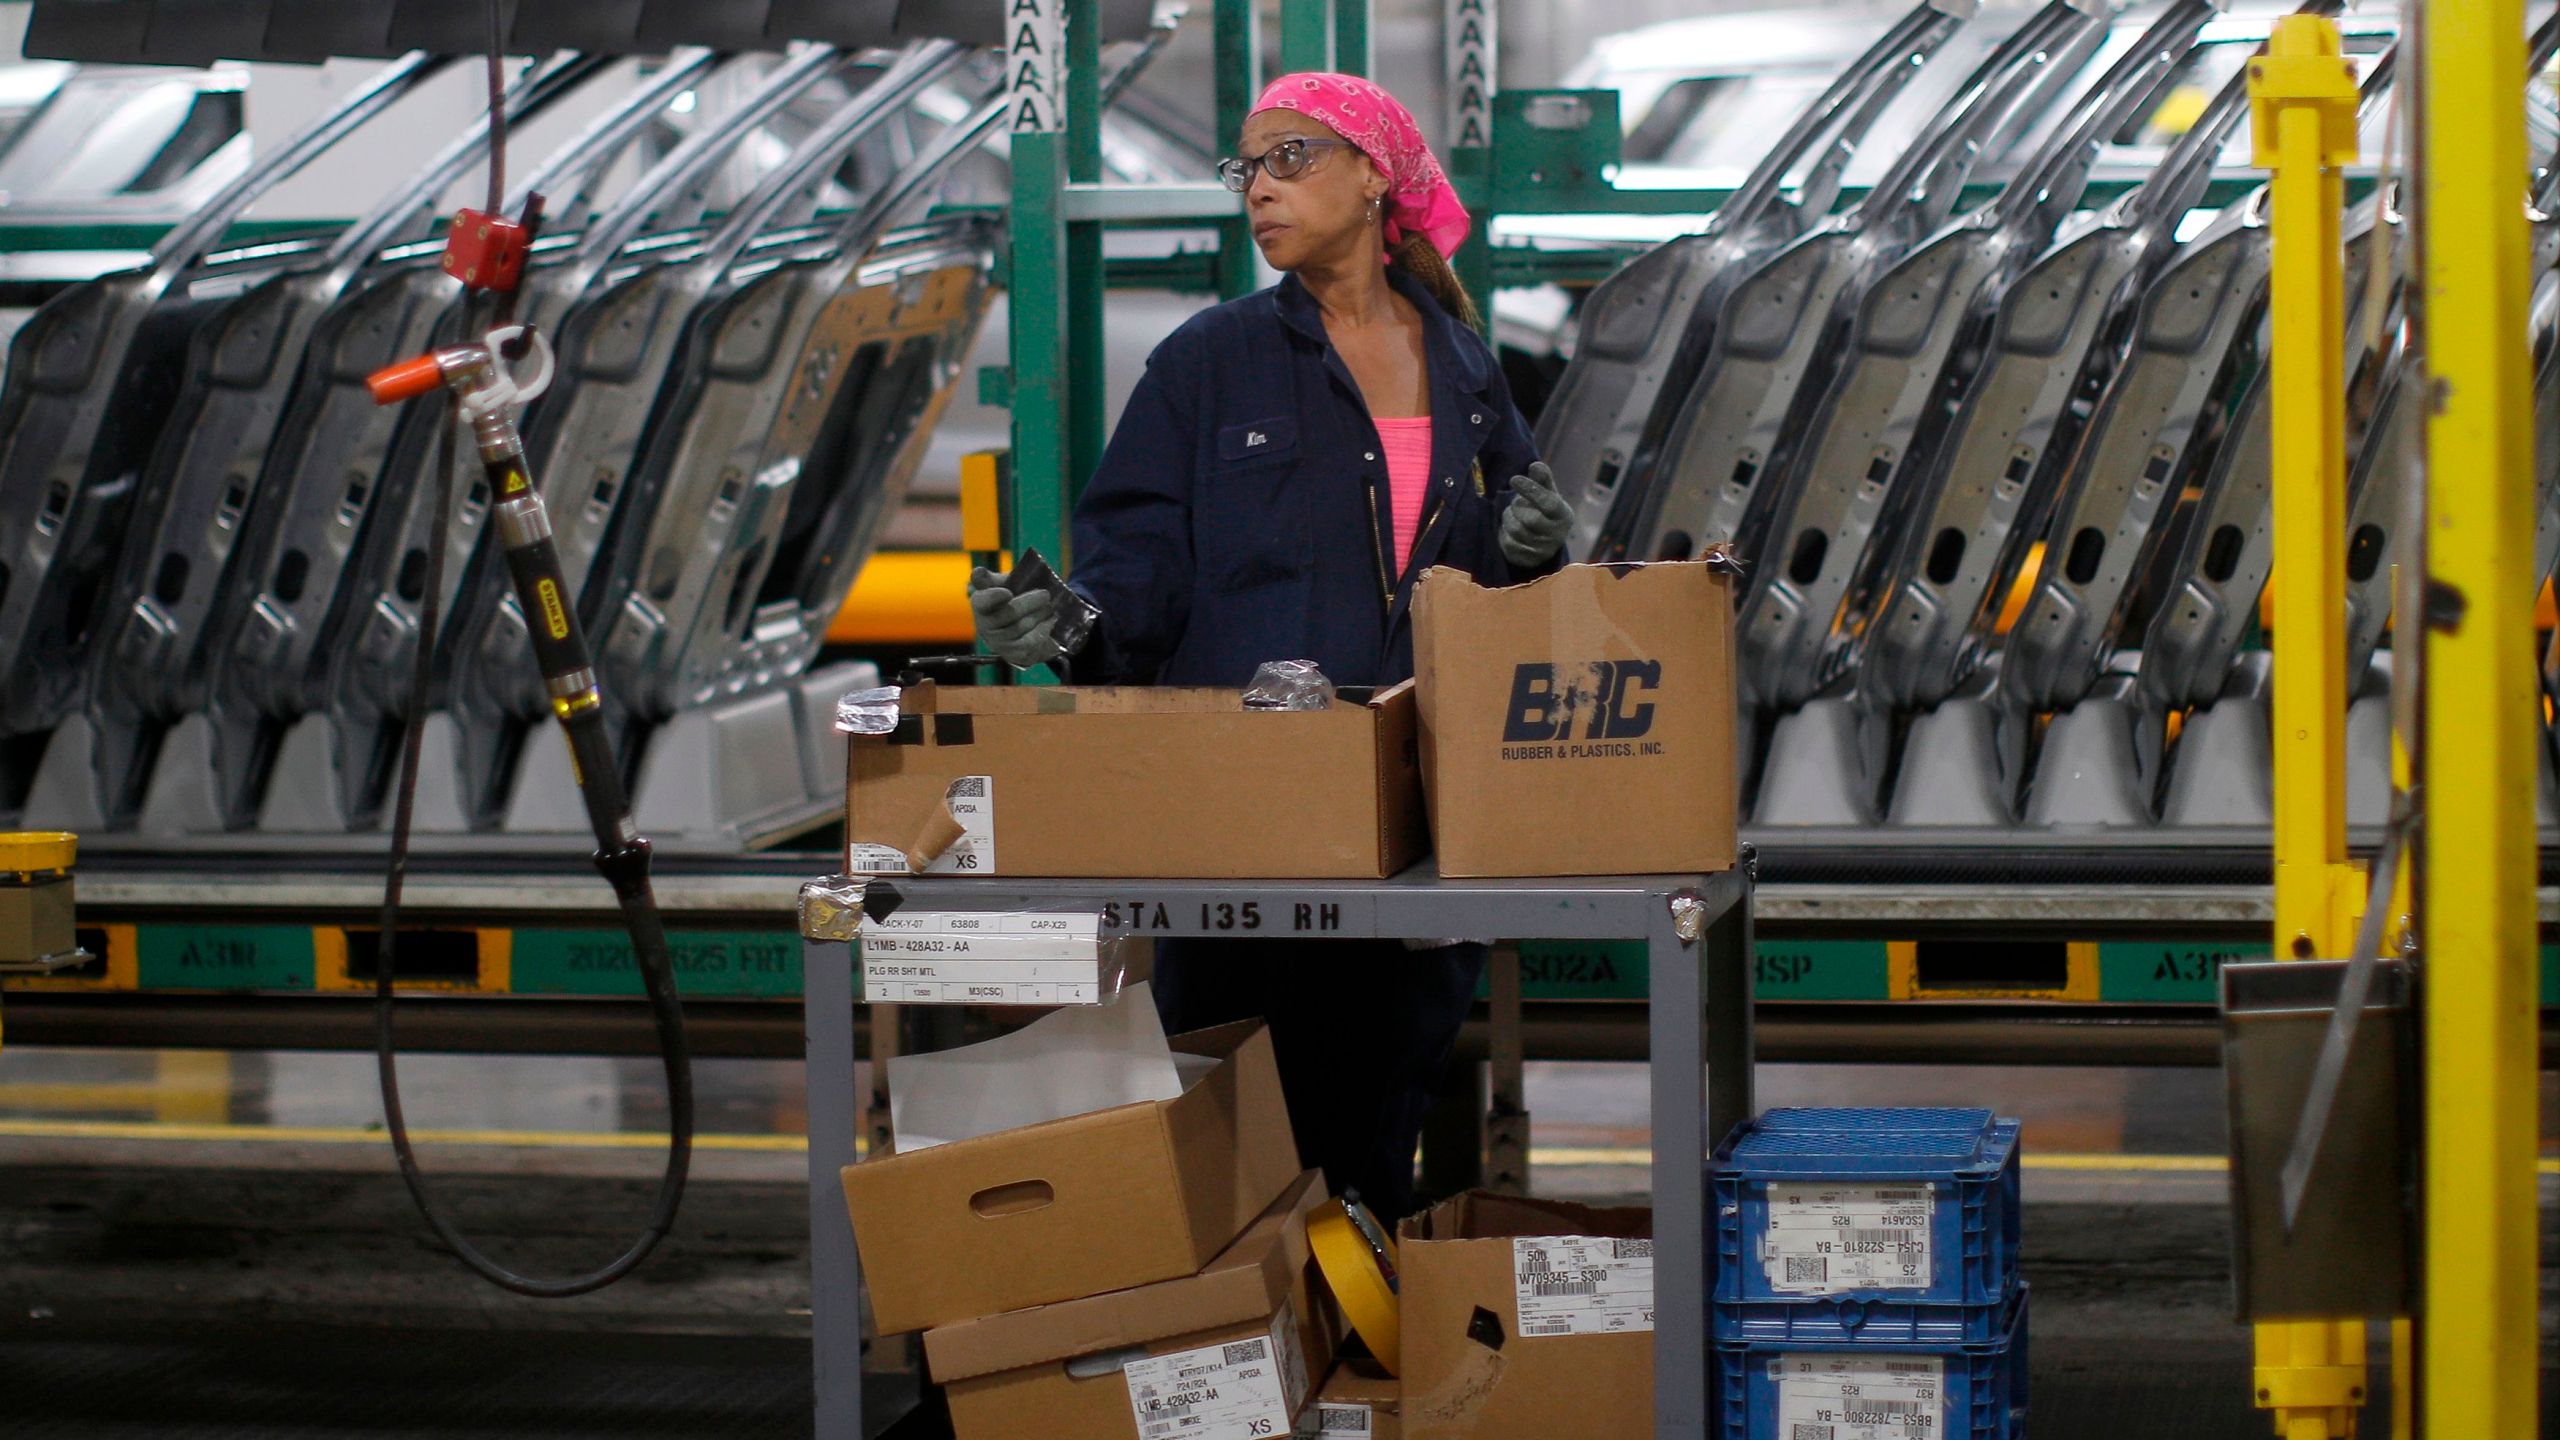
1527, 1321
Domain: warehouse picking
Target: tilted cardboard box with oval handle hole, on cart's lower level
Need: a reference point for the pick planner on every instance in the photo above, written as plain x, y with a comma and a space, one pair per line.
1074, 1208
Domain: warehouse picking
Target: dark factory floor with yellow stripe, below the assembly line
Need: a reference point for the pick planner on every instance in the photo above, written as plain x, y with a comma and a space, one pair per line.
216, 1247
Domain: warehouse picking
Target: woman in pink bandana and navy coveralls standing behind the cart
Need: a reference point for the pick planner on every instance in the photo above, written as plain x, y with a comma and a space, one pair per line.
1281, 478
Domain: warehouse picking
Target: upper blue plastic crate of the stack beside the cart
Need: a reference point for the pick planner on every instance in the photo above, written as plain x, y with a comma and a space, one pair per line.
1901, 1167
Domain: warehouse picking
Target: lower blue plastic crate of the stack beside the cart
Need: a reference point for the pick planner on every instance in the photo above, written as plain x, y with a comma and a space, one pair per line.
1980, 1393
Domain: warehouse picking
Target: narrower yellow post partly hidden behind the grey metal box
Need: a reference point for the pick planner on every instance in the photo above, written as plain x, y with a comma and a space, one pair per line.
2303, 127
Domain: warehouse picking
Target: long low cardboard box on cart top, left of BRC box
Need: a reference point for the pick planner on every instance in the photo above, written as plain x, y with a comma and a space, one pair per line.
1135, 783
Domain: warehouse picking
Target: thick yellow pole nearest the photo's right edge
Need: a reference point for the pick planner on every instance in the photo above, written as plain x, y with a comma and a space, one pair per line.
2477, 901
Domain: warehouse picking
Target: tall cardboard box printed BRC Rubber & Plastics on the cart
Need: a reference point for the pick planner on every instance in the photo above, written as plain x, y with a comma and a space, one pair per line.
1578, 724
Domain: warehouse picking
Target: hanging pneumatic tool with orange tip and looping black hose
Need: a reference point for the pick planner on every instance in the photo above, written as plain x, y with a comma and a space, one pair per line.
488, 255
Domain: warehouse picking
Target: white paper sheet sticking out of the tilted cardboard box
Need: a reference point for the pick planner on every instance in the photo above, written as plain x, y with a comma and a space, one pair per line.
1069, 1062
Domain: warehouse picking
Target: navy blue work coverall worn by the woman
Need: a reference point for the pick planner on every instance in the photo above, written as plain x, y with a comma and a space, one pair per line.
1240, 516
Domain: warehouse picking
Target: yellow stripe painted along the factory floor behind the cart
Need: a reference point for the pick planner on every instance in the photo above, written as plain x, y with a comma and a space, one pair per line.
1565, 1157
